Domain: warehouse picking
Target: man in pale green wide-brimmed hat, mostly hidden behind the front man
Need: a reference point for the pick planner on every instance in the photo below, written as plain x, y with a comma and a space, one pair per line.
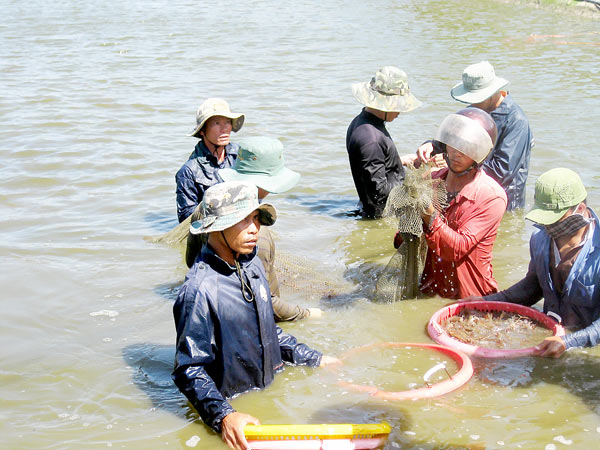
260, 162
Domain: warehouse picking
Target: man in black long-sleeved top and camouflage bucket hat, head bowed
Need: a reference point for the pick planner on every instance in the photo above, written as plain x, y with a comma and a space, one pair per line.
374, 161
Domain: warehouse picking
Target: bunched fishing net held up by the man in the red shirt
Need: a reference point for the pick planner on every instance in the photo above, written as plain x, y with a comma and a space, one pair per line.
400, 278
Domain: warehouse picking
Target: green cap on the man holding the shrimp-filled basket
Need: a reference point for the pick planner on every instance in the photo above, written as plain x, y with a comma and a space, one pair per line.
555, 192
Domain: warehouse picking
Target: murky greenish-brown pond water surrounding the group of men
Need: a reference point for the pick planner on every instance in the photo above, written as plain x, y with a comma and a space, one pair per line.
95, 103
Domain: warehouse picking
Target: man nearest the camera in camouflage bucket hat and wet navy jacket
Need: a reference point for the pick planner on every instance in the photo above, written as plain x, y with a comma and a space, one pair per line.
227, 340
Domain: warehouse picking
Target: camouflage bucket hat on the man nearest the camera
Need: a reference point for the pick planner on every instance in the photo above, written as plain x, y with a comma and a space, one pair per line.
227, 203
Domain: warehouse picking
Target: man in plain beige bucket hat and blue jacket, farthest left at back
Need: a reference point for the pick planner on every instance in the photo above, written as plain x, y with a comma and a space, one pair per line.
214, 150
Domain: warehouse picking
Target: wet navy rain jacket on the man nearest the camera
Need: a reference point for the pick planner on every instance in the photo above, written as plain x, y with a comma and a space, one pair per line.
227, 345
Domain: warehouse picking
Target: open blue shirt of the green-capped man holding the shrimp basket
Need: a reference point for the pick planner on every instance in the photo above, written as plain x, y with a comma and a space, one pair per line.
579, 306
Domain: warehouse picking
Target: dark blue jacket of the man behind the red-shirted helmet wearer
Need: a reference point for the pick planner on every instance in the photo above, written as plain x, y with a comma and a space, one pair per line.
508, 162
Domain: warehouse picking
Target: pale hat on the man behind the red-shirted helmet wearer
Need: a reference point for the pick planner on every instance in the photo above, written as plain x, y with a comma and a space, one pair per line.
479, 83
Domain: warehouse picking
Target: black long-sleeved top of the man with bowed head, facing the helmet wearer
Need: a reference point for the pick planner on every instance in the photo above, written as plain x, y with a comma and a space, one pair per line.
374, 162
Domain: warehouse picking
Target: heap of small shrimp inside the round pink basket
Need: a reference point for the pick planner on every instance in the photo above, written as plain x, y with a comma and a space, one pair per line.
495, 329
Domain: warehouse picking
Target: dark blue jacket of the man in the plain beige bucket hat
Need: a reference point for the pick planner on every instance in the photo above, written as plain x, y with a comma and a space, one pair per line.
198, 174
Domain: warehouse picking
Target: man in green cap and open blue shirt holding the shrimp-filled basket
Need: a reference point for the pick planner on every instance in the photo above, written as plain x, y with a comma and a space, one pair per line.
565, 262
